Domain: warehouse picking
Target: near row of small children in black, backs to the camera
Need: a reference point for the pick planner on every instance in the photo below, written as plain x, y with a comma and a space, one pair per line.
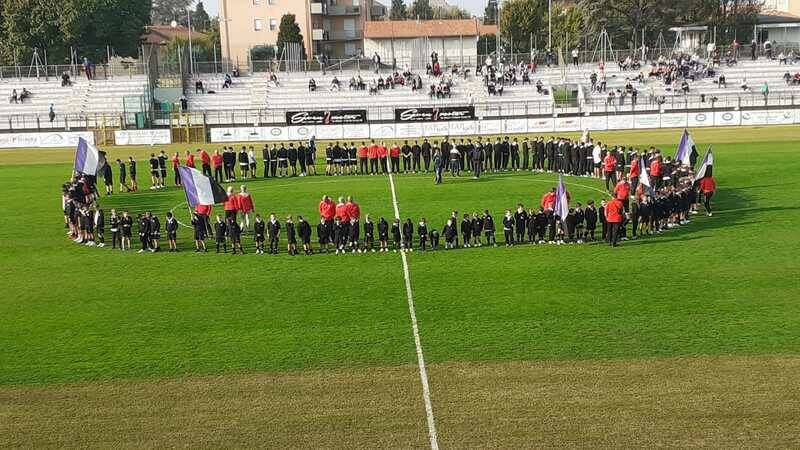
645, 215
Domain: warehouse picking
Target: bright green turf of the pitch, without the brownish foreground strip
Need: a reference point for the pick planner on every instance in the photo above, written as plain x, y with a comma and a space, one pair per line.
725, 285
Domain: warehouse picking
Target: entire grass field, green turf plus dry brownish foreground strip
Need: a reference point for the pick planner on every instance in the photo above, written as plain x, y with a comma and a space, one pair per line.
687, 339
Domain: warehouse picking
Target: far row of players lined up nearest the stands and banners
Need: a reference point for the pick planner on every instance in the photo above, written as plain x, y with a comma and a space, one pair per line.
563, 155
